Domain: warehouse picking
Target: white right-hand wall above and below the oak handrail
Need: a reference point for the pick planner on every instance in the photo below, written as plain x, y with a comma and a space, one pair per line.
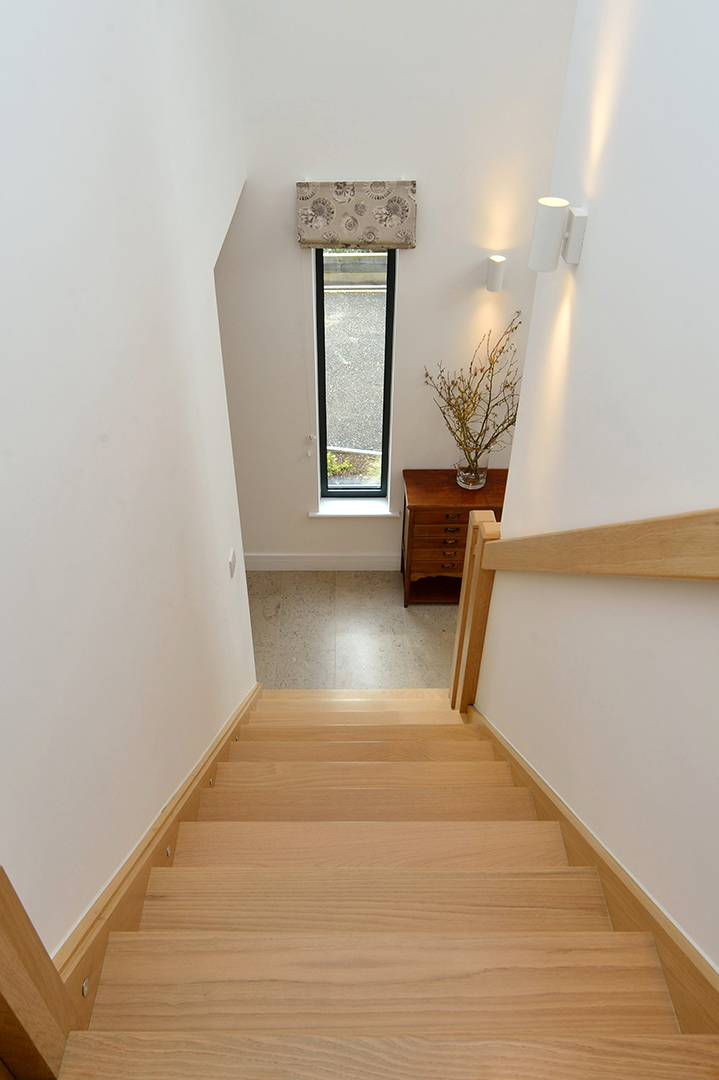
611, 687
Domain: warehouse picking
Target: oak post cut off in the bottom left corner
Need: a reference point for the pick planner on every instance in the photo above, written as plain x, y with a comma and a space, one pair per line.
36, 1011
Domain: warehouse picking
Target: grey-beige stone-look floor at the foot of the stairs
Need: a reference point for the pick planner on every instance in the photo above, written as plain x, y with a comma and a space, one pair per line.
327, 630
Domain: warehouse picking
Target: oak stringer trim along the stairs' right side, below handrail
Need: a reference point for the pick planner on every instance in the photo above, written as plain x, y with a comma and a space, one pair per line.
694, 983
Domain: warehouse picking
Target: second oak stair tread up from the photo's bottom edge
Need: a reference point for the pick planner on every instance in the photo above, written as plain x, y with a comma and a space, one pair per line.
359, 984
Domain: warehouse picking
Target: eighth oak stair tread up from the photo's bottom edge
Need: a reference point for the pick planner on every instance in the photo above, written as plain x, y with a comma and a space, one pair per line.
358, 733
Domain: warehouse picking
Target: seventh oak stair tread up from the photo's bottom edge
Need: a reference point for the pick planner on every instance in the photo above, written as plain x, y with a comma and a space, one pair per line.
418, 750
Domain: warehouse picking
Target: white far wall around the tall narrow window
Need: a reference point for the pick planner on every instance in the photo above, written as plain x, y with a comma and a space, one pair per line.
465, 98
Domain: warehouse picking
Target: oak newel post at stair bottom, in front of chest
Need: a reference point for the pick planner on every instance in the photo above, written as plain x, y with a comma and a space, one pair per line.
473, 610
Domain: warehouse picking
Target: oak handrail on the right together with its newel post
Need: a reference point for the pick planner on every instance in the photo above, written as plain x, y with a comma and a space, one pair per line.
676, 546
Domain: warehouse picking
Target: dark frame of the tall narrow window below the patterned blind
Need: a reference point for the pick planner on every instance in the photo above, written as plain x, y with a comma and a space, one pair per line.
355, 493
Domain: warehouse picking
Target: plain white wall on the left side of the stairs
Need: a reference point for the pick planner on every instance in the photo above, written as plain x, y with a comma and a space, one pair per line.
126, 646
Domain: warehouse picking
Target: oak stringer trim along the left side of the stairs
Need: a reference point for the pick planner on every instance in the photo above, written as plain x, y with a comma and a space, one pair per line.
120, 906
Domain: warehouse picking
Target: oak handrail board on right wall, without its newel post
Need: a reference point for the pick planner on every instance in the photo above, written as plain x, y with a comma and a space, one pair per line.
677, 546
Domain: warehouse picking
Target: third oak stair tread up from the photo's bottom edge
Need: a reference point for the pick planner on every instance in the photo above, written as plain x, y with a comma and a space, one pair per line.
376, 900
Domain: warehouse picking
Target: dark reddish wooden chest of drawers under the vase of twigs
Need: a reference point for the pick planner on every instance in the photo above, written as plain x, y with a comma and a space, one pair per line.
435, 533
